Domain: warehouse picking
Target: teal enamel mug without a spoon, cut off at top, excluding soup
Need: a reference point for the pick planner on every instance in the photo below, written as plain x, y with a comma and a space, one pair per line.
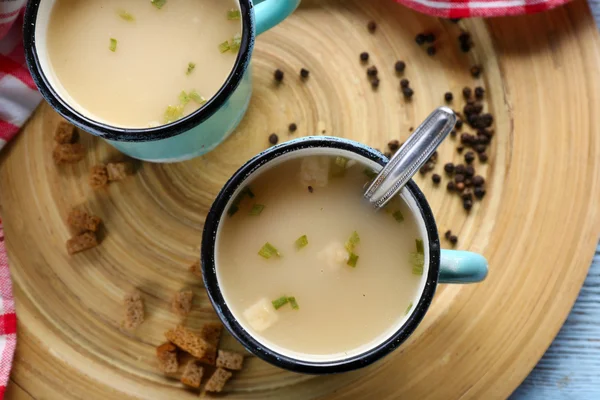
185, 138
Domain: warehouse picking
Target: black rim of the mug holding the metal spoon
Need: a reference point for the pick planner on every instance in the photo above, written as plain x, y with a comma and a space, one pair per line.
211, 284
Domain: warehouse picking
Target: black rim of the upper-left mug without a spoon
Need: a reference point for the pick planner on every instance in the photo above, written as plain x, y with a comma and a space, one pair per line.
110, 132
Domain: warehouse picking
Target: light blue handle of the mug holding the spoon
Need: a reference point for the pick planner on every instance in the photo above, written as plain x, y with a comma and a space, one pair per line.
458, 266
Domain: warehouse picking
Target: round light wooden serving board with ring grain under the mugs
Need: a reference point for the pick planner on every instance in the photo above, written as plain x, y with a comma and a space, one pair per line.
538, 224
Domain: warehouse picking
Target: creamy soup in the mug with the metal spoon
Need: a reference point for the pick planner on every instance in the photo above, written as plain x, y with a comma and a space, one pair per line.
311, 270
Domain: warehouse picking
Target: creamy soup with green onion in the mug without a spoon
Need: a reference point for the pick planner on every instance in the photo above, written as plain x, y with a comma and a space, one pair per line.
140, 63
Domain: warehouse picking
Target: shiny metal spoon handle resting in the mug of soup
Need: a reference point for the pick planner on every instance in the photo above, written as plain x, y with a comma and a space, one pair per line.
411, 157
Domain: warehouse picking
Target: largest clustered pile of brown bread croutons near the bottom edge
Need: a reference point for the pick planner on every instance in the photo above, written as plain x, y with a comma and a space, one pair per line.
203, 347
